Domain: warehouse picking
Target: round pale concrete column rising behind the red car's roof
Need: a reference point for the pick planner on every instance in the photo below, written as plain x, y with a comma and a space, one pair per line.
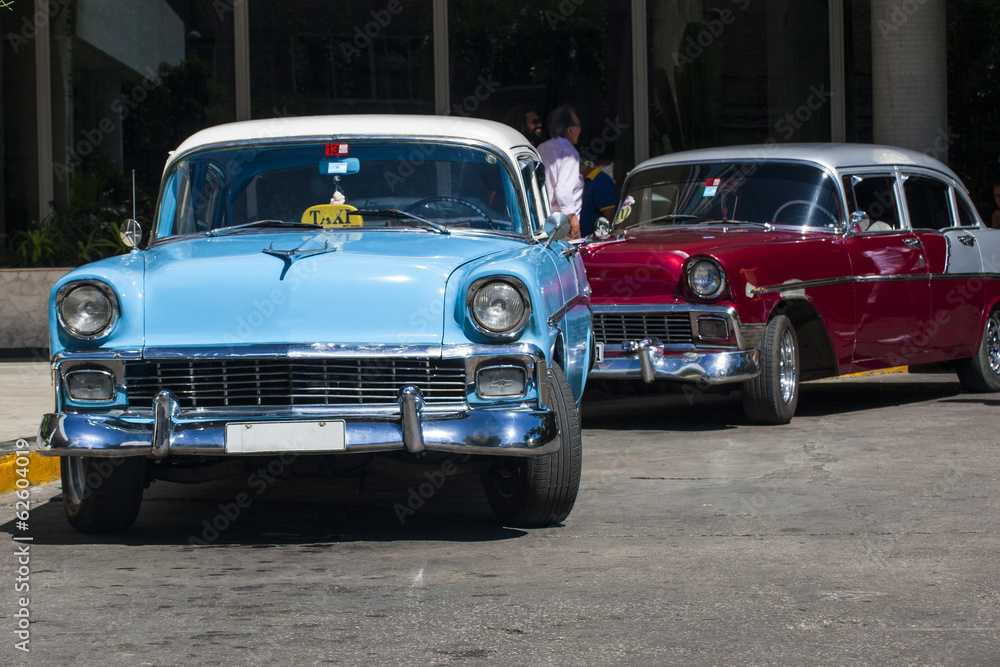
910, 75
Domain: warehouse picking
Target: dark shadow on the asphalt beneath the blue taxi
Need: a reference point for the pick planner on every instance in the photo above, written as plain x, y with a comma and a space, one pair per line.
310, 512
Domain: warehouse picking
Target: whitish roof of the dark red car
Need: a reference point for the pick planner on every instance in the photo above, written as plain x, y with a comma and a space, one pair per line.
836, 157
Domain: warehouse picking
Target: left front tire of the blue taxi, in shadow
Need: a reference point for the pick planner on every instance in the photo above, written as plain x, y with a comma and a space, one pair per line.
102, 495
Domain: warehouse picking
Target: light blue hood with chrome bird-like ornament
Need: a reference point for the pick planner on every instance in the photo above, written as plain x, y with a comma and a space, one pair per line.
337, 288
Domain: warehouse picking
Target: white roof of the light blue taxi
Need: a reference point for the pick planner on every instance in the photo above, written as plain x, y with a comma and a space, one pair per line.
358, 126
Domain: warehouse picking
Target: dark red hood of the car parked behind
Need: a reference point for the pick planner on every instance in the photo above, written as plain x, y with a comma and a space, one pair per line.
647, 264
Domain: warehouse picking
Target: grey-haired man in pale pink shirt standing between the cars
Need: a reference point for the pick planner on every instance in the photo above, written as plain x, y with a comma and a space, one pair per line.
562, 165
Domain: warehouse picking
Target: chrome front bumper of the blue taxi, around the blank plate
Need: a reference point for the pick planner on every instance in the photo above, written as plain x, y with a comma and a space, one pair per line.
515, 432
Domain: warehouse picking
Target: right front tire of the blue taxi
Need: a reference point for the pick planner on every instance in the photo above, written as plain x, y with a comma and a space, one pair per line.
539, 491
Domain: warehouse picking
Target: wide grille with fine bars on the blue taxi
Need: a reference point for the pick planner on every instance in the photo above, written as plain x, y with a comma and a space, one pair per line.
283, 383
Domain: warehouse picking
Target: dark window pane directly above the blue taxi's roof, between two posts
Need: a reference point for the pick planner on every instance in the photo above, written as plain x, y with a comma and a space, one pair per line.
311, 57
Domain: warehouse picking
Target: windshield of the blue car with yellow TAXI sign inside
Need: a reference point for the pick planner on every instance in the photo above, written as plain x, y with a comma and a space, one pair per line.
359, 185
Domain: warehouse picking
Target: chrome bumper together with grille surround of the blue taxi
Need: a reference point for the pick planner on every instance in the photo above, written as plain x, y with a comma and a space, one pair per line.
514, 428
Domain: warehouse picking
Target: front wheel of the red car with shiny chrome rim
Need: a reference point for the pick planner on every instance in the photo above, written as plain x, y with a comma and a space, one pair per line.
773, 396
